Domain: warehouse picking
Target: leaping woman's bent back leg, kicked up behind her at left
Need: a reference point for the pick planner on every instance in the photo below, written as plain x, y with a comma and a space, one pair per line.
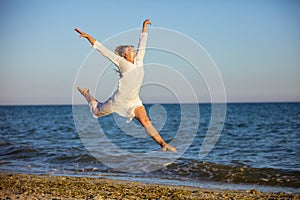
98, 109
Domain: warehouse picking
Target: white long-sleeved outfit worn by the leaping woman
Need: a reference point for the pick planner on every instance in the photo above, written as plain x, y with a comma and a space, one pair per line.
126, 97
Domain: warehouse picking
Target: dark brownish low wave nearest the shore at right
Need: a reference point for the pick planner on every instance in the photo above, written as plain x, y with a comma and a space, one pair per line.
233, 174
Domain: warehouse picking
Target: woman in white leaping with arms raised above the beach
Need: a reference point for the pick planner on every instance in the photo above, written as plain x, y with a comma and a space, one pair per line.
125, 101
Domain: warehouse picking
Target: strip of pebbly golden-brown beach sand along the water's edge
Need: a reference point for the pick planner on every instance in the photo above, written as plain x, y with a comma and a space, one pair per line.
23, 186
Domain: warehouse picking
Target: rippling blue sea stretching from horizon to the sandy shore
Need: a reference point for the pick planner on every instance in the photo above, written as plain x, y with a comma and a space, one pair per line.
254, 145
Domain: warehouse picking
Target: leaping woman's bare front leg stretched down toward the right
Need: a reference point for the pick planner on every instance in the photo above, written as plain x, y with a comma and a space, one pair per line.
141, 116
